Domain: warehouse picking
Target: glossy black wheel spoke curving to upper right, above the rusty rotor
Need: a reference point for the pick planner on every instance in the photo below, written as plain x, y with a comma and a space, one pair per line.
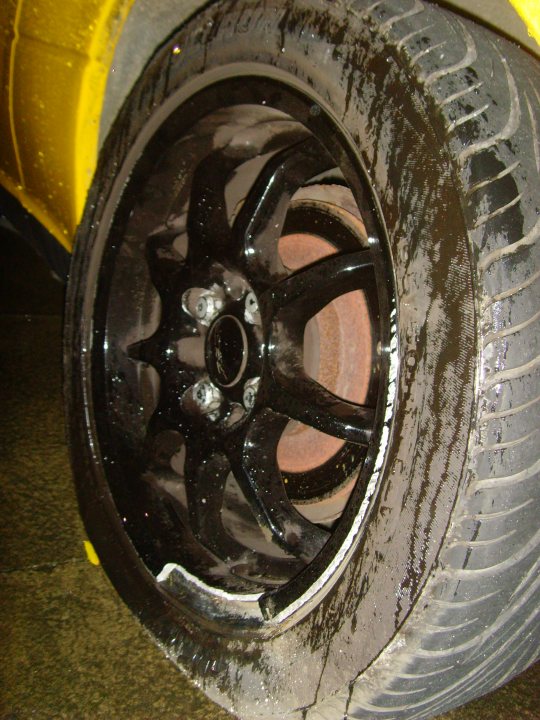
261, 219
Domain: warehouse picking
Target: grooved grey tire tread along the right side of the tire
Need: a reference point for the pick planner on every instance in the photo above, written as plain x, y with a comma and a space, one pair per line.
476, 624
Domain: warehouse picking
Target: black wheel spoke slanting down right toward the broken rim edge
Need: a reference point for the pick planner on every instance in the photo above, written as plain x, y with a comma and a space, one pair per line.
253, 458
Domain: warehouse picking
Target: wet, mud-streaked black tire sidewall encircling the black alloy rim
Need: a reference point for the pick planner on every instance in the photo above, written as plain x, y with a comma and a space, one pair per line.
356, 76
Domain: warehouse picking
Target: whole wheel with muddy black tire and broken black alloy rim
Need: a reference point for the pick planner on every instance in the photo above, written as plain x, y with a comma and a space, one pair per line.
397, 572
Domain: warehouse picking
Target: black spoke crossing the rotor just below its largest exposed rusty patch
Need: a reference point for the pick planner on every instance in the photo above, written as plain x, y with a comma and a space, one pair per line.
301, 398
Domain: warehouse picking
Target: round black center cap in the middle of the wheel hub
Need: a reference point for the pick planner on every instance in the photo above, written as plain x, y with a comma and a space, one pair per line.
227, 350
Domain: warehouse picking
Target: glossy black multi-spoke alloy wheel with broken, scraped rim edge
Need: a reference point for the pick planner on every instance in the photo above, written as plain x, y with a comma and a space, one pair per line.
215, 316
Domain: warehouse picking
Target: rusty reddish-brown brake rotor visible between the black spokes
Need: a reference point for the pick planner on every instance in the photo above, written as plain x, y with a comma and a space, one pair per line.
337, 345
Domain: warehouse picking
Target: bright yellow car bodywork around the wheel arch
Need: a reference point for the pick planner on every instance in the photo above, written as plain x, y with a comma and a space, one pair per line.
55, 58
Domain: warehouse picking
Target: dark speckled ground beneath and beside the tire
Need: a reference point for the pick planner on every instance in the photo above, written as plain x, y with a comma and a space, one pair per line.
70, 649
